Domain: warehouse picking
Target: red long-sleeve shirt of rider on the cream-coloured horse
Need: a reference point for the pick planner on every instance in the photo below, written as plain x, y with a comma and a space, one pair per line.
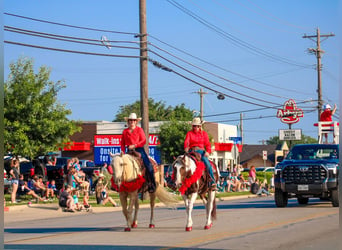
136, 137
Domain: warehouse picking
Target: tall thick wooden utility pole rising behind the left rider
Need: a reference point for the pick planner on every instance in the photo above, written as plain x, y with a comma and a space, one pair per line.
143, 72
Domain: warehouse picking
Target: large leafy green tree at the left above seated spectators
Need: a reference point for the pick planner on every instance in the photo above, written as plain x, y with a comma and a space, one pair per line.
35, 123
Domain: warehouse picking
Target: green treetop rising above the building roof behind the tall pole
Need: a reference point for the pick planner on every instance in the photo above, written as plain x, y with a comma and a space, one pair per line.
157, 111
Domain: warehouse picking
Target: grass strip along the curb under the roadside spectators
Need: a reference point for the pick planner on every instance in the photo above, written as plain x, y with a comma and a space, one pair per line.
92, 199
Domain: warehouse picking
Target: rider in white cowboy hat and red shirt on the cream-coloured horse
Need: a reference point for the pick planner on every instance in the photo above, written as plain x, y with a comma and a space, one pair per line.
134, 138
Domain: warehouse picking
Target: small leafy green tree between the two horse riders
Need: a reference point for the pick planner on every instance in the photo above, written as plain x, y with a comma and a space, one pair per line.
171, 137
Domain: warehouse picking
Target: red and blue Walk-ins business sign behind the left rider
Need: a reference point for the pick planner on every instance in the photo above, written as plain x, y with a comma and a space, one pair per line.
105, 144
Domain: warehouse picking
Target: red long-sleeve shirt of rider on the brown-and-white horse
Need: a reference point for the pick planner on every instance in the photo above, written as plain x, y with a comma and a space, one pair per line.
197, 139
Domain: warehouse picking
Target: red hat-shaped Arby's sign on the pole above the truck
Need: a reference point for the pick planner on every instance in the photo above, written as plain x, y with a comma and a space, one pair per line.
290, 113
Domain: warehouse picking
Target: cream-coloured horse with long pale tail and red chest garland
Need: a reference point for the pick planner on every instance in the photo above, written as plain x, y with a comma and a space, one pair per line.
128, 177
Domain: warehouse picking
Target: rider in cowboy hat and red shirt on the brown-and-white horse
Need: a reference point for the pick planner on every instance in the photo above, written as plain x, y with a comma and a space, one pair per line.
197, 140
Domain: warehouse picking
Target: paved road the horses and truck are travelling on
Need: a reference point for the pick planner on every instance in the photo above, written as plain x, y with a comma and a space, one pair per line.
249, 223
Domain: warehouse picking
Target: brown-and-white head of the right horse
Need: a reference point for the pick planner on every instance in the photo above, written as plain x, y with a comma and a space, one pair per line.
182, 167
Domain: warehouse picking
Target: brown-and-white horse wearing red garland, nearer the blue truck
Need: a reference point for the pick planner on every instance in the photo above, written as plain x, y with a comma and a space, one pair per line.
191, 179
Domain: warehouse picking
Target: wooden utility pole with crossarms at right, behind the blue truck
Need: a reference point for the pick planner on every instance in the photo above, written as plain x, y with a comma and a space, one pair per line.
318, 53
